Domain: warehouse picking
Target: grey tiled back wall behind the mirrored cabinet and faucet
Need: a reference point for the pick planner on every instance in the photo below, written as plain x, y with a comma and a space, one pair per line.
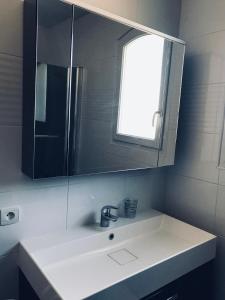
53, 205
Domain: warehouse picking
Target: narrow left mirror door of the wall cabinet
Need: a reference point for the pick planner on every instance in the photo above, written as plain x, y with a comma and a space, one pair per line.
53, 26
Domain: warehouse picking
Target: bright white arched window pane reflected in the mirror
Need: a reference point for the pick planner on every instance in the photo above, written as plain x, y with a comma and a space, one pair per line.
142, 89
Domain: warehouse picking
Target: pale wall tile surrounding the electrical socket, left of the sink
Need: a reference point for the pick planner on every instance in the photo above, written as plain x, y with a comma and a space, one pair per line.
41, 211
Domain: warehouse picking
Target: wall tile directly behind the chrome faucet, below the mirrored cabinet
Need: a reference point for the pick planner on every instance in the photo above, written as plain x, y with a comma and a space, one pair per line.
87, 195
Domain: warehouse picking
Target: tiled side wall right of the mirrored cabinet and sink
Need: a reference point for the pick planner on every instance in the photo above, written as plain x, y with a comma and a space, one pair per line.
195, 186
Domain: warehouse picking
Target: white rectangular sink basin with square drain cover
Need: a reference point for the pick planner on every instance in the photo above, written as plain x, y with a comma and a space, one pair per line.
80, 264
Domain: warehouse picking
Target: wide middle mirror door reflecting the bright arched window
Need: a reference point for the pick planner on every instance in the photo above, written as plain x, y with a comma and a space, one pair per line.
119, 88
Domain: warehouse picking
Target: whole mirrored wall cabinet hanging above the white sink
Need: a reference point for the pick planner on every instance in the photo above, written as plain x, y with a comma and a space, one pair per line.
99, 95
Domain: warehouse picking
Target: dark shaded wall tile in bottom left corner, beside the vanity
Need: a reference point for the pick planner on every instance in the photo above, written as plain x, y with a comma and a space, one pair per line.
9, 277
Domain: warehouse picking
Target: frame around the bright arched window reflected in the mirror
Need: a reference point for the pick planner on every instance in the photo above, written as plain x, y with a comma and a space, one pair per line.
157, 142
